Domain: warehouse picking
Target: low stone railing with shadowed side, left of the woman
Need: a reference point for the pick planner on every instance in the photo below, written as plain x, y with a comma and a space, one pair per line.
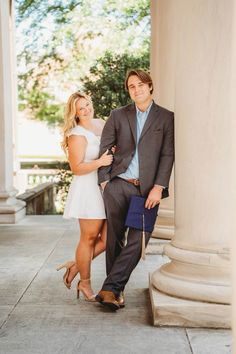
40, 200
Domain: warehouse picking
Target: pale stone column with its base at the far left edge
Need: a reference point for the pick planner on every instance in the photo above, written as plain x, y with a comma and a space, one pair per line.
11, 210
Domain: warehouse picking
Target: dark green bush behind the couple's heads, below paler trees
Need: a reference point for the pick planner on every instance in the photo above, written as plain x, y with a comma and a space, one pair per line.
105, 82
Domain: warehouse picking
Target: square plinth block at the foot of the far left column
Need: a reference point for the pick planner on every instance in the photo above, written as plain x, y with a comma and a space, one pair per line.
11, 214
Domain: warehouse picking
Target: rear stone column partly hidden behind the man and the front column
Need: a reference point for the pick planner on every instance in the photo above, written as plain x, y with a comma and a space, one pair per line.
163, 94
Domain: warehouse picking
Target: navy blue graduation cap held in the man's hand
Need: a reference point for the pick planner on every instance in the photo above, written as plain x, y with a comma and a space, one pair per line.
140, 217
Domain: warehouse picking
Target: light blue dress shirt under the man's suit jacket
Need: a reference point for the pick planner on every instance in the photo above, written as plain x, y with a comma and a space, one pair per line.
133, 168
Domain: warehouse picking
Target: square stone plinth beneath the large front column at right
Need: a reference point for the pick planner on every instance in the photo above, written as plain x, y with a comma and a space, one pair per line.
172, 311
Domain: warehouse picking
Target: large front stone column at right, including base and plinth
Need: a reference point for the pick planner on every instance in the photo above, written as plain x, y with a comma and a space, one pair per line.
193, 289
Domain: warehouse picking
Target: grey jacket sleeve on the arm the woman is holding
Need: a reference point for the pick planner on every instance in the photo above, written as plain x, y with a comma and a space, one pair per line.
108, 140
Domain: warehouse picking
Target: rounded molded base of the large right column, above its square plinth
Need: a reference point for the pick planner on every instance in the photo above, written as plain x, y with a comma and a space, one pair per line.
195, 275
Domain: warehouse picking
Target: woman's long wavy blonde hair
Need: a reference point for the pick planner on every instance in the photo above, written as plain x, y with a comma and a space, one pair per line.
70, 117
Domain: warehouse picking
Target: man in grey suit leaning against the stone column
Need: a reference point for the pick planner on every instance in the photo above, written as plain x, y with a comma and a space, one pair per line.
143, 133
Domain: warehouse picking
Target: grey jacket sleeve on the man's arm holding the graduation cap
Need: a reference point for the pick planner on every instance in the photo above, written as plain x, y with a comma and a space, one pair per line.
167, 153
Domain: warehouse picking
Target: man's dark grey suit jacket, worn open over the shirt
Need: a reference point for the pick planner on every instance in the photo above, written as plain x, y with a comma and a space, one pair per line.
155, 146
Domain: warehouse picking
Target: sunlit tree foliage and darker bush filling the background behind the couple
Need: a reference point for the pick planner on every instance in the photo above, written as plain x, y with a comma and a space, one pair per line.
58, 43
